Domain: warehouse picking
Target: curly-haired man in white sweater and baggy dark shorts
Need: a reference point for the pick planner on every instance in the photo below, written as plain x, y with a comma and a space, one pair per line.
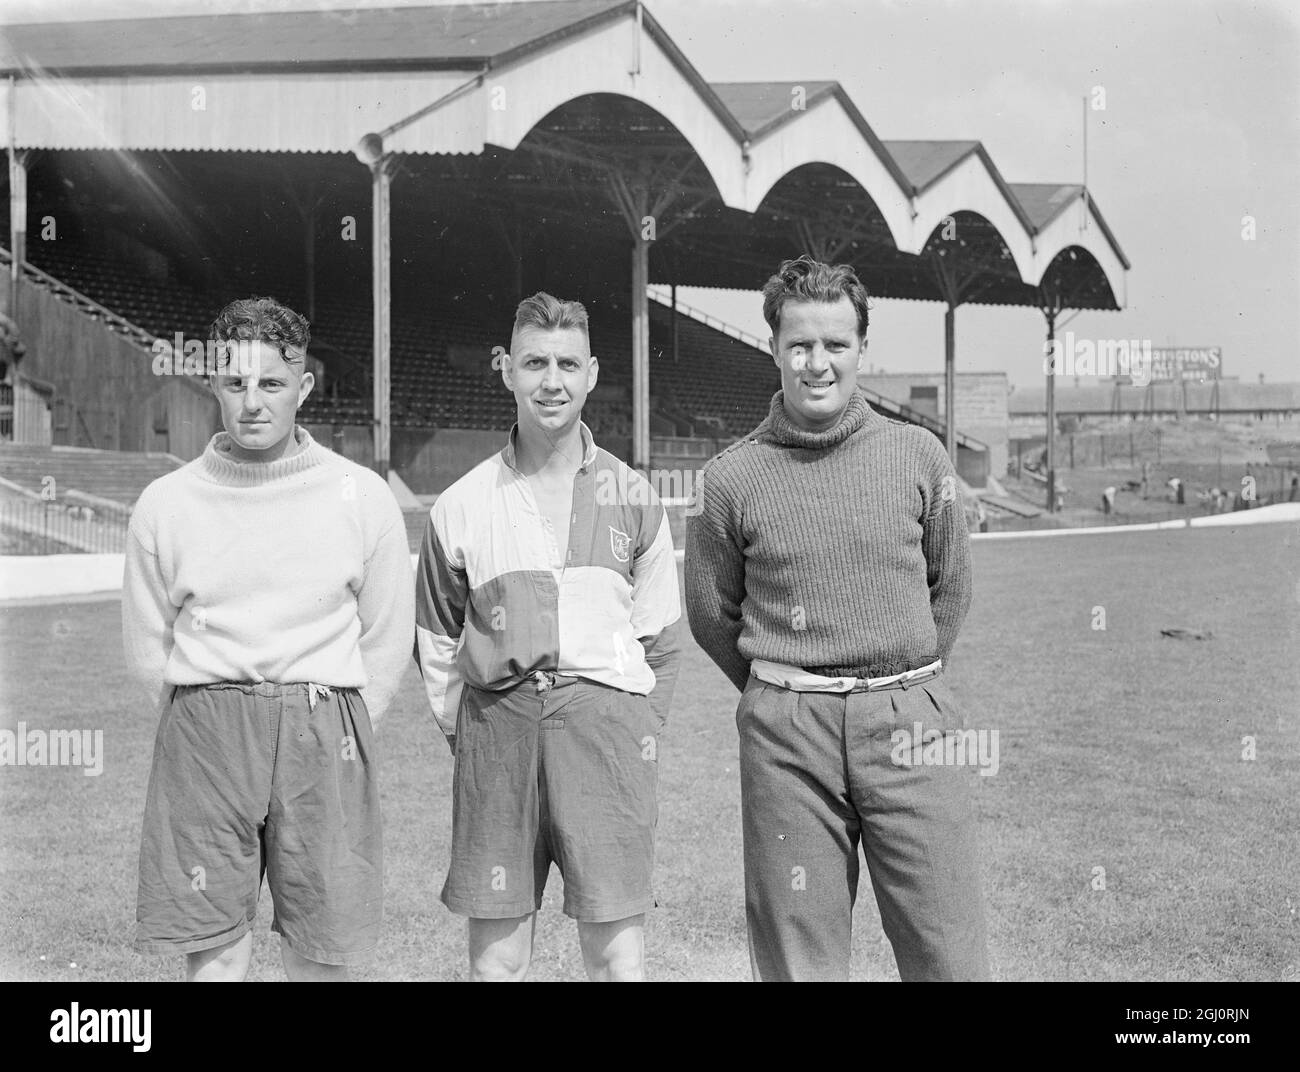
268, 610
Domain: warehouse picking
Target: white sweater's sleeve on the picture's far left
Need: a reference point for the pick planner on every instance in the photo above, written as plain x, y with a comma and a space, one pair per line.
148, 617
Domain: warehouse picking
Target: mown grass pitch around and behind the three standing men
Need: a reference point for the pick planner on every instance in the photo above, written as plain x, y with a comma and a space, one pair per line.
1120, 750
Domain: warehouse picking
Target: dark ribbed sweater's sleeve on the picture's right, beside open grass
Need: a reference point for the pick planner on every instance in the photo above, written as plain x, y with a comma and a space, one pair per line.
946, 544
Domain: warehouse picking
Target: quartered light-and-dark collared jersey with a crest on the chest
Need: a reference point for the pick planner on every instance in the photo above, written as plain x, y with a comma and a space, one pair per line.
495, 605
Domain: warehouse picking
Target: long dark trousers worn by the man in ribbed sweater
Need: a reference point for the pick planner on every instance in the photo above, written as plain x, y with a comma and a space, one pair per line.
824, 774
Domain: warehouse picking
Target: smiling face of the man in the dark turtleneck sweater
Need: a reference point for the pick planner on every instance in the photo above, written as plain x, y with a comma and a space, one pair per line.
820, 353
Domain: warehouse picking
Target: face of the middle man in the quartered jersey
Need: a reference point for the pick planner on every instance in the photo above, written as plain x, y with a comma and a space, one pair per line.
551, 374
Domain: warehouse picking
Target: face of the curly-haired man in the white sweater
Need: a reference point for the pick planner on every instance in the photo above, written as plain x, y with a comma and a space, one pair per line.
259, 398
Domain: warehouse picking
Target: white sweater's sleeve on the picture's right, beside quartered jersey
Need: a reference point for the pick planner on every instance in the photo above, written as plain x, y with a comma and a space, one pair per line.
385, 605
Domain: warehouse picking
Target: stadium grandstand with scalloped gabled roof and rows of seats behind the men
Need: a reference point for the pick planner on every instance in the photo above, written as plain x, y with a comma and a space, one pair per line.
405, 176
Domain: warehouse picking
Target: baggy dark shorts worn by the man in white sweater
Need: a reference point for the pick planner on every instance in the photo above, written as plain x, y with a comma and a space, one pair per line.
252, 780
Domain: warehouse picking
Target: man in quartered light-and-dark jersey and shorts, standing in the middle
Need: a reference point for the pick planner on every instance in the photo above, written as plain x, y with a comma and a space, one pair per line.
547, 600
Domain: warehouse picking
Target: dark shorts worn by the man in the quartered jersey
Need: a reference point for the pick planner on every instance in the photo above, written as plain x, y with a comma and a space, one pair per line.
565, 776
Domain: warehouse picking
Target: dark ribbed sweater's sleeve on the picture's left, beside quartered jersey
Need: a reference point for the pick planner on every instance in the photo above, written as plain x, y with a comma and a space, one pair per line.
716, 580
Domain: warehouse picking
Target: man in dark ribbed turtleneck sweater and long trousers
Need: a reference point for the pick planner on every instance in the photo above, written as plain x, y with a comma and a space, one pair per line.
827, 576
